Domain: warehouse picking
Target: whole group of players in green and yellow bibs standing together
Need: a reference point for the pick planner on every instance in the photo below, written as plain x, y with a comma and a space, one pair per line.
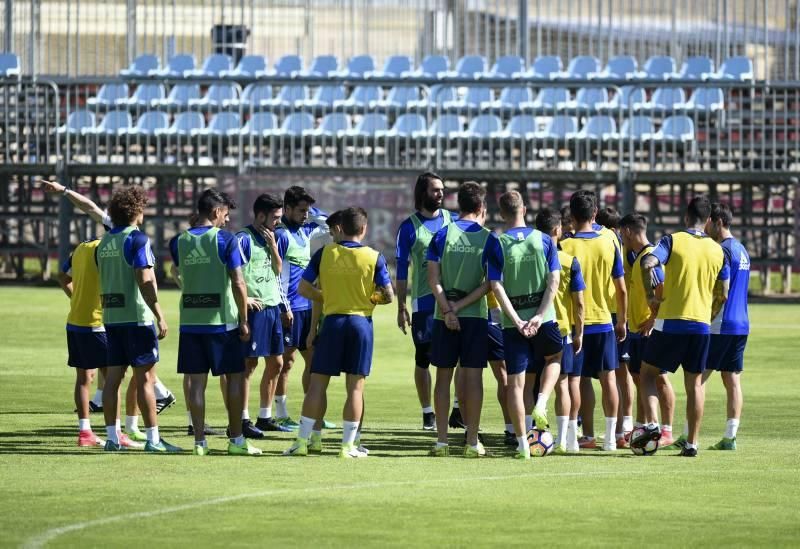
582, 295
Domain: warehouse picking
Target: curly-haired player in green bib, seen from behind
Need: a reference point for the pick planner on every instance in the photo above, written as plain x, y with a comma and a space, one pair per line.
129, 296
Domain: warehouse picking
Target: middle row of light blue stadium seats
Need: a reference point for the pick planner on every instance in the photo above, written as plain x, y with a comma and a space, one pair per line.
334, 97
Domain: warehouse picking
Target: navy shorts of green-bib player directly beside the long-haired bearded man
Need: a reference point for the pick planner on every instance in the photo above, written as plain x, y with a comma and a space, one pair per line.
467, 347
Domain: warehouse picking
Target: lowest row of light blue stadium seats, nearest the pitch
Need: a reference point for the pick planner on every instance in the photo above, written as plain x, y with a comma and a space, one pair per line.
154, 124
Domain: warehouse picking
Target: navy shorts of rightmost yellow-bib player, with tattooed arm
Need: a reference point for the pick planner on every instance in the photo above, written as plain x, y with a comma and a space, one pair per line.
668, 351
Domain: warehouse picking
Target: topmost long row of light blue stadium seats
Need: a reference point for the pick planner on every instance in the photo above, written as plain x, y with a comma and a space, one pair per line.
546, 67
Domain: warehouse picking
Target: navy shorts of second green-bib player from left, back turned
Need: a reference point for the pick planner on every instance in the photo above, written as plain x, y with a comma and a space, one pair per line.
219, 353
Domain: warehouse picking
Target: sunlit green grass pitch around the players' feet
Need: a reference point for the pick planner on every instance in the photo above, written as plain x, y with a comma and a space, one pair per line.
56, 494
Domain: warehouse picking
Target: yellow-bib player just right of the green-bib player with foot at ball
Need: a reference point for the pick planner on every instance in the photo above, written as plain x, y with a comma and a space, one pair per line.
569, 307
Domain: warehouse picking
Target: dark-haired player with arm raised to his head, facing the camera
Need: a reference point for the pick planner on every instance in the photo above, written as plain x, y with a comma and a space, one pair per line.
299, 224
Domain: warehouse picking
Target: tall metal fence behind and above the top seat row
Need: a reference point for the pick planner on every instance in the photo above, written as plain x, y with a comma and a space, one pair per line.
98, 38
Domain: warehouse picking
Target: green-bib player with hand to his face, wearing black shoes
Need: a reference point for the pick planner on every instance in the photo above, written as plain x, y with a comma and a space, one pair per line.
264, 297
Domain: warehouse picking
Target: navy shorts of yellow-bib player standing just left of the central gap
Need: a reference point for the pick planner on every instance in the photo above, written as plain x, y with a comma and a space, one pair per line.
344, 346
